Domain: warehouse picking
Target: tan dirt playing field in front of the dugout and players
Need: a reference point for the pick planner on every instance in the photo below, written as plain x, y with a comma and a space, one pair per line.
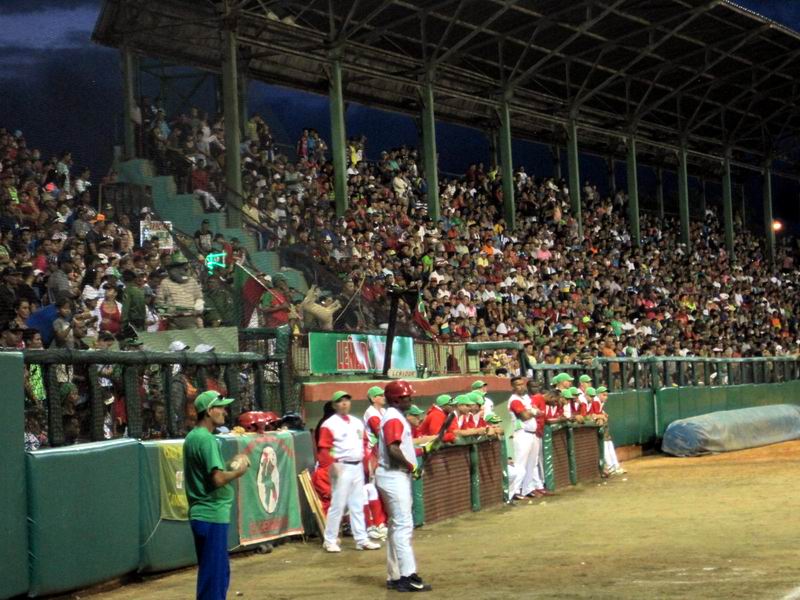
724, 526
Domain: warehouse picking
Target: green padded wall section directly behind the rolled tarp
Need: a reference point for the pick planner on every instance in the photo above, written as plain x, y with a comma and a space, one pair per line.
676, 403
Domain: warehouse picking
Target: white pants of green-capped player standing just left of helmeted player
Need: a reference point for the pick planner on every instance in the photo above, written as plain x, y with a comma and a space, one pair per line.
347, 483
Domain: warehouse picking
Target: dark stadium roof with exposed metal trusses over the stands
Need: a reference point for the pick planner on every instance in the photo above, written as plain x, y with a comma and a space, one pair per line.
705, 70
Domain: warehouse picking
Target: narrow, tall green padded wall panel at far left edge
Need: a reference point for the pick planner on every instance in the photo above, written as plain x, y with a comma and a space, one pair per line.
13, 493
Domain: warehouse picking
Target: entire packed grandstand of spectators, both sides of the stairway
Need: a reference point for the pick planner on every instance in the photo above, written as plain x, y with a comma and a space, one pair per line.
76, 275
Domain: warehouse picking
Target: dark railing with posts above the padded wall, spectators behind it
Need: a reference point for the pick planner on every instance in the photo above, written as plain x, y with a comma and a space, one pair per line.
115, 385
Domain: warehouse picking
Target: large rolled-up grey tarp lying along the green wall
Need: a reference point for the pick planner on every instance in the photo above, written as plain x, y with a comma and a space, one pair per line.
728, 430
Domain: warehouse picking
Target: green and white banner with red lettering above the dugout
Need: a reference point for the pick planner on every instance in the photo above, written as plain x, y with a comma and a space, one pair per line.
332, 353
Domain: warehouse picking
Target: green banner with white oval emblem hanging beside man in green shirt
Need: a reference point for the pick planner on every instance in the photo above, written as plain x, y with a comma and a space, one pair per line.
269, 506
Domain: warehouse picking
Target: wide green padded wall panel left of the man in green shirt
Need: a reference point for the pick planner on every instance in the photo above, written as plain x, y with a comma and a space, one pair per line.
83, 514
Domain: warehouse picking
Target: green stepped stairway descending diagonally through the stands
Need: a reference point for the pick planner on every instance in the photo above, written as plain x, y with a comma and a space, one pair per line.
186, 214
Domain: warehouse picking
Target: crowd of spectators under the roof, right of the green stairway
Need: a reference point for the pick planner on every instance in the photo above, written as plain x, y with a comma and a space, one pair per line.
468, 277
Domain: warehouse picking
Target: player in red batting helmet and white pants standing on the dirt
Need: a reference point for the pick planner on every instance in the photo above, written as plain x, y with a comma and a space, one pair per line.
397, 465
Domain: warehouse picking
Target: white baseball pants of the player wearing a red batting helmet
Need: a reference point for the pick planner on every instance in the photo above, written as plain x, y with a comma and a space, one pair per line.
394, 487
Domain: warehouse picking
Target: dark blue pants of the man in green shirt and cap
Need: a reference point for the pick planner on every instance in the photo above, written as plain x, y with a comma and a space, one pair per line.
214, 572
